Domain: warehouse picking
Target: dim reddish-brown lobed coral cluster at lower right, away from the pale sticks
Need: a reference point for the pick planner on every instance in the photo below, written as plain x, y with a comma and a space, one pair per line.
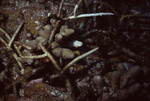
109, 86
